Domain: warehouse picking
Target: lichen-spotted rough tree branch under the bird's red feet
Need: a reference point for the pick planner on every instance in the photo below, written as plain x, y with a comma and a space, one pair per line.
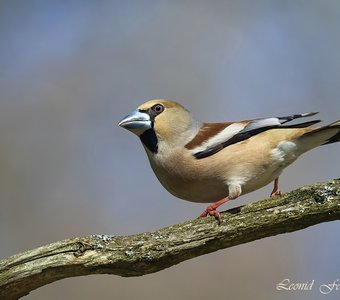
150, 252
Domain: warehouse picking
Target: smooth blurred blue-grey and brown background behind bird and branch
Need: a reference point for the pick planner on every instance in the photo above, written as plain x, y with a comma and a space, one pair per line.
70, 70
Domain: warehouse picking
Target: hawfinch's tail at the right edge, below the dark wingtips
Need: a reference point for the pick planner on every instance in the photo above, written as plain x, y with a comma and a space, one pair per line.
321, 136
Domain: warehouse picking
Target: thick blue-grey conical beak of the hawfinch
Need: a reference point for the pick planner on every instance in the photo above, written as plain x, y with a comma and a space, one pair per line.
137, 122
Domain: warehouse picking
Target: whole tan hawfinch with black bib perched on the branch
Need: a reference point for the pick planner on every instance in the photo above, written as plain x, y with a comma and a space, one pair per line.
217, 162
